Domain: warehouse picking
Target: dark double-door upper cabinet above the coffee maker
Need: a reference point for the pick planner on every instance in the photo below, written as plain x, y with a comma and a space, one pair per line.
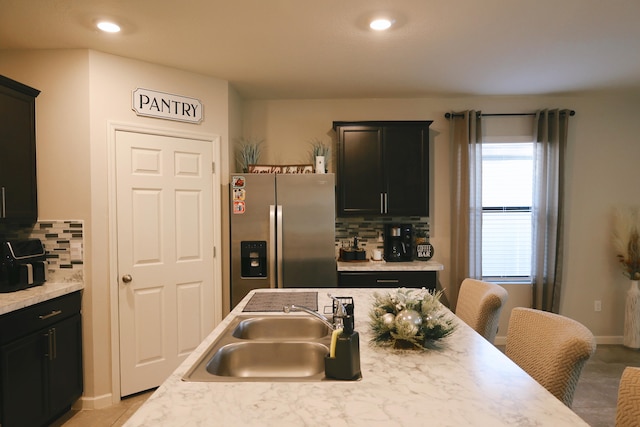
383, 168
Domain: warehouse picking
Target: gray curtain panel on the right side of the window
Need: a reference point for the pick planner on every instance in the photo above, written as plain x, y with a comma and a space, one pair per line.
550, 133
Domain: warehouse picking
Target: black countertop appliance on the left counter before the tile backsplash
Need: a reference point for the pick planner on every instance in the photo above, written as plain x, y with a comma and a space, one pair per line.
23, 264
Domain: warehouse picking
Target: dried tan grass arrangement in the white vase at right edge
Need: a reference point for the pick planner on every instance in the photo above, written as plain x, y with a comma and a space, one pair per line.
626, 241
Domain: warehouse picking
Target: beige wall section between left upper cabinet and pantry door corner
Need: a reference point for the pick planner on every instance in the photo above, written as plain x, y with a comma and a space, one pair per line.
62, 126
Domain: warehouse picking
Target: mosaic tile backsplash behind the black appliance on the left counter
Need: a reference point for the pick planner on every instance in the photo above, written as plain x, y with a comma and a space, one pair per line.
63, 243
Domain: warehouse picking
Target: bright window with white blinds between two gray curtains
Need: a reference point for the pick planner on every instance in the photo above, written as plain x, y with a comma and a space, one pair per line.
507, 197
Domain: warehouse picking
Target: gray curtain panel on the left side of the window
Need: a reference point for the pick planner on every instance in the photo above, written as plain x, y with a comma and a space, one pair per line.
465, 130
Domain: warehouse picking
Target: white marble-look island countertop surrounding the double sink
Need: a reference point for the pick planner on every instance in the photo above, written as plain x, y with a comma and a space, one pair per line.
464, 382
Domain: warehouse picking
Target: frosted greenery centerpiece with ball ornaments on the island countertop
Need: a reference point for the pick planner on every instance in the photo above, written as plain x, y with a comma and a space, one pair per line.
409, 319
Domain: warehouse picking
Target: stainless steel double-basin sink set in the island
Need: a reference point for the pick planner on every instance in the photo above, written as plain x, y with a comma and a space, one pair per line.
265, 348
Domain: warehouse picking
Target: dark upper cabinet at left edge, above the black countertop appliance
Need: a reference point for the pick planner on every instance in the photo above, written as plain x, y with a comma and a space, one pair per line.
18, 186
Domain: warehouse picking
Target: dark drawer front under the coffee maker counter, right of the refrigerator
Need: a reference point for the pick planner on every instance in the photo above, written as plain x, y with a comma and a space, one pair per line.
387, 279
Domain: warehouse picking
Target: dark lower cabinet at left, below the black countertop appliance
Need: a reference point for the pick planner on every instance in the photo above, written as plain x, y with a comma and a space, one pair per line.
40, 362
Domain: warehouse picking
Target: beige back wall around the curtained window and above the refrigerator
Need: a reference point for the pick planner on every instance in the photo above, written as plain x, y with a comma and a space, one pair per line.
601, 172
